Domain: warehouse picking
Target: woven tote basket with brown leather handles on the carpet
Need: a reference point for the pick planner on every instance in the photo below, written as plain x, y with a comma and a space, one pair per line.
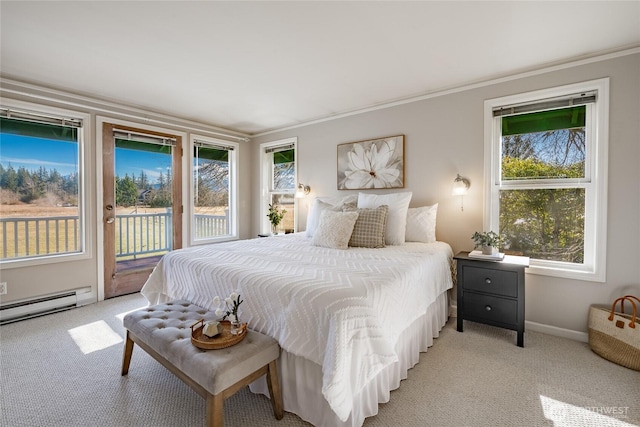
616, 335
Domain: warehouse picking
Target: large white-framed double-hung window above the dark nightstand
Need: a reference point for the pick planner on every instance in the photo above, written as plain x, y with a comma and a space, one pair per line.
546, 162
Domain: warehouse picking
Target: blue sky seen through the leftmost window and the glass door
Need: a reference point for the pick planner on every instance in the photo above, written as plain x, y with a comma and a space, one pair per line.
31, 153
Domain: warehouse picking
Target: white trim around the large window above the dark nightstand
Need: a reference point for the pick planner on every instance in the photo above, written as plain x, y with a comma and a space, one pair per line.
594, 268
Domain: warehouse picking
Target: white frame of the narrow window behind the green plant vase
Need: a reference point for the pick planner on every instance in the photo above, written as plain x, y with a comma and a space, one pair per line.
266, 162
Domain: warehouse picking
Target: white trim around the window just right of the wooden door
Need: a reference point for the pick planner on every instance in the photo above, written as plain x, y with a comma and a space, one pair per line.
233, 190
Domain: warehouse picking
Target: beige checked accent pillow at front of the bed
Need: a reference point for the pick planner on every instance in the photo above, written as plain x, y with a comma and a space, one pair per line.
370, 227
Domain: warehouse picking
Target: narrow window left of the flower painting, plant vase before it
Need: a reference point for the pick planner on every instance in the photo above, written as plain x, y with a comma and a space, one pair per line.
279, 182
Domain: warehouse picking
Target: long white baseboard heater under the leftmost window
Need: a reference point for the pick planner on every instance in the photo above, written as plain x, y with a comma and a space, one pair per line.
13, 312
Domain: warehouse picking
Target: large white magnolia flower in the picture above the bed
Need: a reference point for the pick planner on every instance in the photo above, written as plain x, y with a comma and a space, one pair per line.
373, 167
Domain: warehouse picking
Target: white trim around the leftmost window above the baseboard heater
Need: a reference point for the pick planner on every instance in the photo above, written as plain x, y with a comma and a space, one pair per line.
84, 168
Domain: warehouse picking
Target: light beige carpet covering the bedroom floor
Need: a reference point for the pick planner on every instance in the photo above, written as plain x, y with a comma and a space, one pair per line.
63, 369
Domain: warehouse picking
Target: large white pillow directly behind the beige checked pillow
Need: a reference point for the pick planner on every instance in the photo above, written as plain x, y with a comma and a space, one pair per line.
397, 219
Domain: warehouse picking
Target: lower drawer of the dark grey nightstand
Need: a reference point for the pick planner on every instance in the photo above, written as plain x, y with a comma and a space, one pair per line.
488, 308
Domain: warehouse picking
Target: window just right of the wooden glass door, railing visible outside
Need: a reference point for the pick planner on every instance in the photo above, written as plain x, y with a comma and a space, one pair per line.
214, 190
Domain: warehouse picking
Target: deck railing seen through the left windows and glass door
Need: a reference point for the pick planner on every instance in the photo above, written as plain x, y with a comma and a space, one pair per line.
136, 234
